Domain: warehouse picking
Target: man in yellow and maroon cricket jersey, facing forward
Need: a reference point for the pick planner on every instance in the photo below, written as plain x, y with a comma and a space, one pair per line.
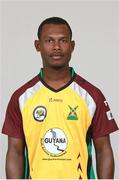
56, 116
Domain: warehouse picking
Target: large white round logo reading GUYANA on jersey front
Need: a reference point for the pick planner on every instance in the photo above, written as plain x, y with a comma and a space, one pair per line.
54, 142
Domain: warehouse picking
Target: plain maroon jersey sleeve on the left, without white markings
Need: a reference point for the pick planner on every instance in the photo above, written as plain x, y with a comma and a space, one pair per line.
13, 121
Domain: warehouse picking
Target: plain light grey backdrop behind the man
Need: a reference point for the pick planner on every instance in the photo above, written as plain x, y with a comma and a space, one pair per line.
95, 31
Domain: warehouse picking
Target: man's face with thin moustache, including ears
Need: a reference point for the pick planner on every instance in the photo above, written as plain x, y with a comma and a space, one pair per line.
55, 45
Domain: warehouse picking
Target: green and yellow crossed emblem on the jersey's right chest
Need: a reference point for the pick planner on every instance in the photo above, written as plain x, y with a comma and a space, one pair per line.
72, 114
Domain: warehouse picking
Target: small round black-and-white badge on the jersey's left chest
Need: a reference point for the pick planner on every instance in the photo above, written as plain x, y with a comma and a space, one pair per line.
39, 113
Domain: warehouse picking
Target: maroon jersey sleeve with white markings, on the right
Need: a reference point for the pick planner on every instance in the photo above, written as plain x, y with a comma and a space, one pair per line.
103, 122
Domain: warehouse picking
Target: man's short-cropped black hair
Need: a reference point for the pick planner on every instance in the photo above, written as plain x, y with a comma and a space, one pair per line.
53, 20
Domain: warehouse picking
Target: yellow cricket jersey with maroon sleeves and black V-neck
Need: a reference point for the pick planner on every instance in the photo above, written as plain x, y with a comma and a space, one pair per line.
58, 126
